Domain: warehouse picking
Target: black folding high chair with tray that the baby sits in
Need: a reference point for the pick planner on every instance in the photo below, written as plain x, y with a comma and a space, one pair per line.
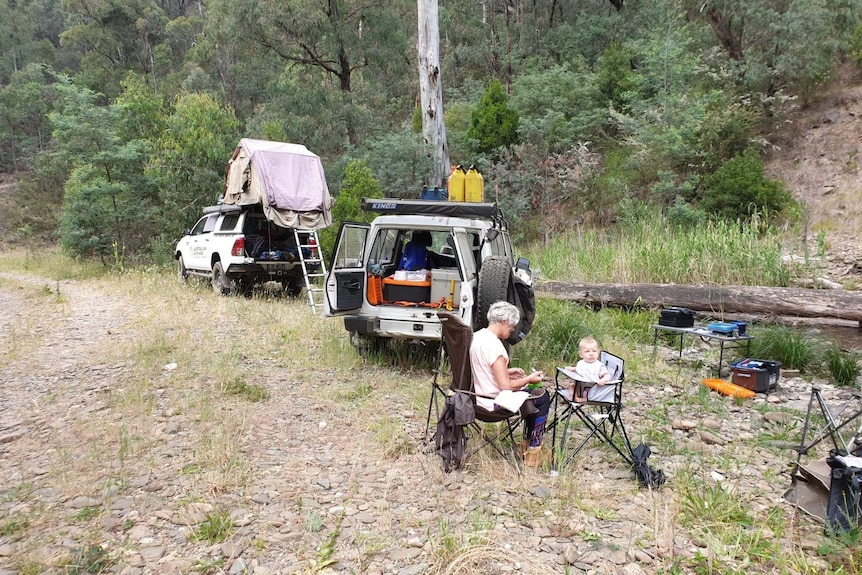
603, 419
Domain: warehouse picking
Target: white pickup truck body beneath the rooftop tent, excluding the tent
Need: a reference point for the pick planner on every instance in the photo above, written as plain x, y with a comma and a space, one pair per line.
236, 247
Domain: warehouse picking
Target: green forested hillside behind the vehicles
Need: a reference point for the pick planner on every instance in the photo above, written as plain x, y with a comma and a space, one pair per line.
118, 116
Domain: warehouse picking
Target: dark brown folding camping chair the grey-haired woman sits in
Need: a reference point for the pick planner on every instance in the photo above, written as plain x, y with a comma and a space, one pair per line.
457, 337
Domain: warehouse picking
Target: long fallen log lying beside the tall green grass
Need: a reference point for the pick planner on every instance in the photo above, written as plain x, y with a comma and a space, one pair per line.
716, 300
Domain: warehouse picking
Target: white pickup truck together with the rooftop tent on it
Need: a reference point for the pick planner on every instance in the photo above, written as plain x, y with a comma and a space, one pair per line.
275, 198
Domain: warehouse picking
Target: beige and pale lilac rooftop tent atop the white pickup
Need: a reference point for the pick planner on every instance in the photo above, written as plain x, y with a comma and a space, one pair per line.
286, 179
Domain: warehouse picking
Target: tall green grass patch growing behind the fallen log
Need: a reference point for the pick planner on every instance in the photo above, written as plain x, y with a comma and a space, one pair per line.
646, 249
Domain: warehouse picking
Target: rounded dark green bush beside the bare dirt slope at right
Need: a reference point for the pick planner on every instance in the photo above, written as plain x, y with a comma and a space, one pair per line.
739, 188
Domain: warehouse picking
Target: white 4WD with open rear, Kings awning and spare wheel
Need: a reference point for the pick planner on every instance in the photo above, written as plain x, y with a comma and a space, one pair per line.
471, 267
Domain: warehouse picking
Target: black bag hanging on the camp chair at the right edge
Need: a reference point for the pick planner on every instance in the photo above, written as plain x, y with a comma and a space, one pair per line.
844, 511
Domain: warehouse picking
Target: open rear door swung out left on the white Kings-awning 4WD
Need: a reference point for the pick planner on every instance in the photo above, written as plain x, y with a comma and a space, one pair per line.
345, 282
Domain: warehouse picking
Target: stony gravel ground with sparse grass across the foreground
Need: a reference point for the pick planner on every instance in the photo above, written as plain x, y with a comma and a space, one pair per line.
84, 485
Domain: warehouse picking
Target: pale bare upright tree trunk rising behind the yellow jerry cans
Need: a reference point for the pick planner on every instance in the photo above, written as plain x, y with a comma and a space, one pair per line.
431, 92
